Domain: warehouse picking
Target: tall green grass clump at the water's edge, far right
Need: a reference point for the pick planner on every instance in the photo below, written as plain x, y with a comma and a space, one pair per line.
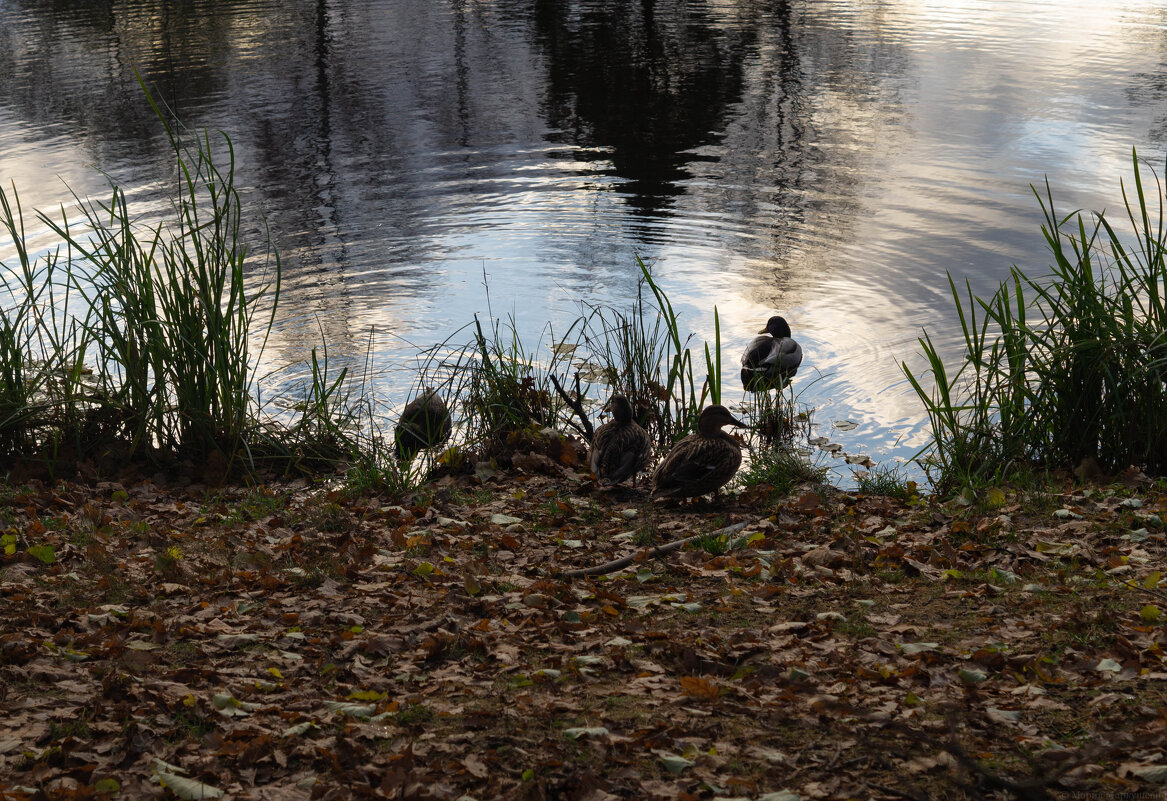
1063, 368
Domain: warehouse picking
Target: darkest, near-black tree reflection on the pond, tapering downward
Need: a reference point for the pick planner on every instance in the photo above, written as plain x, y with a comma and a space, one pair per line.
651, 81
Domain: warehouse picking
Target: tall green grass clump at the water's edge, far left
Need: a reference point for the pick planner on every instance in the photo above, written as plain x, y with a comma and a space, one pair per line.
137, 342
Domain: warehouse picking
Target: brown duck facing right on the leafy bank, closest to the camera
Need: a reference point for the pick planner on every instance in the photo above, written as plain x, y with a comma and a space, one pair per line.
702, 463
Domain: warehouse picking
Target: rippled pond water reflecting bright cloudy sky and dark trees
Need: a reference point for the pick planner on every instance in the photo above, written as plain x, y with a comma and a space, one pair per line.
829, 161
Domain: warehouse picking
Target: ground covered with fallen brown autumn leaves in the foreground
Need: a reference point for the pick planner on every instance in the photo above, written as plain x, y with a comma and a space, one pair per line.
301, 642
